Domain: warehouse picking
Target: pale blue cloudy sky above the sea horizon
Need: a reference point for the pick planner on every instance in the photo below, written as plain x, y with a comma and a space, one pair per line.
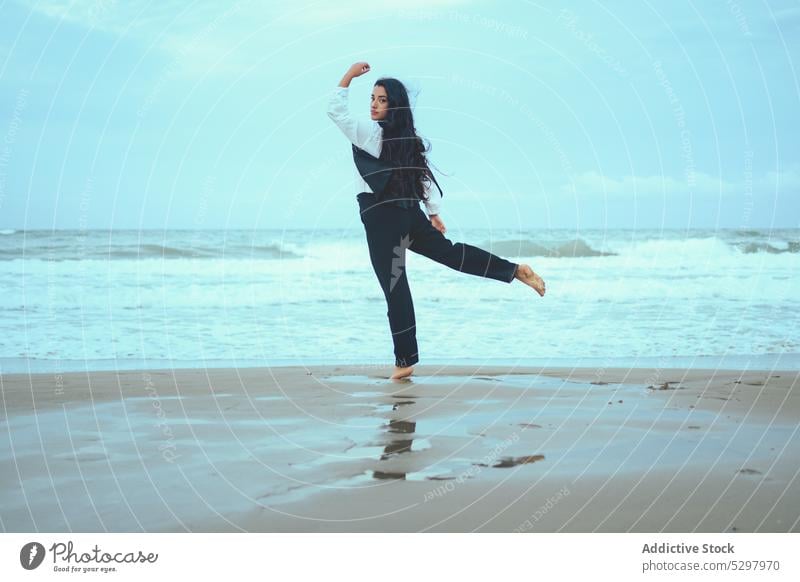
625, 114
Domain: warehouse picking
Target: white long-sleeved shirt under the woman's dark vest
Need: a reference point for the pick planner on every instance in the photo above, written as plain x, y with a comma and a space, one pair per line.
368, 135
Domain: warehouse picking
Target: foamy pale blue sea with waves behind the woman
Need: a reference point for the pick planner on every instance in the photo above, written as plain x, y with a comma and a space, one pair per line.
75, 300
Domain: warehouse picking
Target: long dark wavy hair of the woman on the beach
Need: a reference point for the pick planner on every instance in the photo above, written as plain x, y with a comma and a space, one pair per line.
401, 144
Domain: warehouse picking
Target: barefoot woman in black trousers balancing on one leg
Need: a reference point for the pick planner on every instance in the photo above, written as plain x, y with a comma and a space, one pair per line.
393, 177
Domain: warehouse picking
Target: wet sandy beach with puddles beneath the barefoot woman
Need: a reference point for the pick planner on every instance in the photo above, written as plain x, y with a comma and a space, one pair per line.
454, 449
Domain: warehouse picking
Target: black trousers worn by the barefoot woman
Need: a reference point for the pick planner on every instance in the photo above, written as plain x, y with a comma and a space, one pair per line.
392, 229
